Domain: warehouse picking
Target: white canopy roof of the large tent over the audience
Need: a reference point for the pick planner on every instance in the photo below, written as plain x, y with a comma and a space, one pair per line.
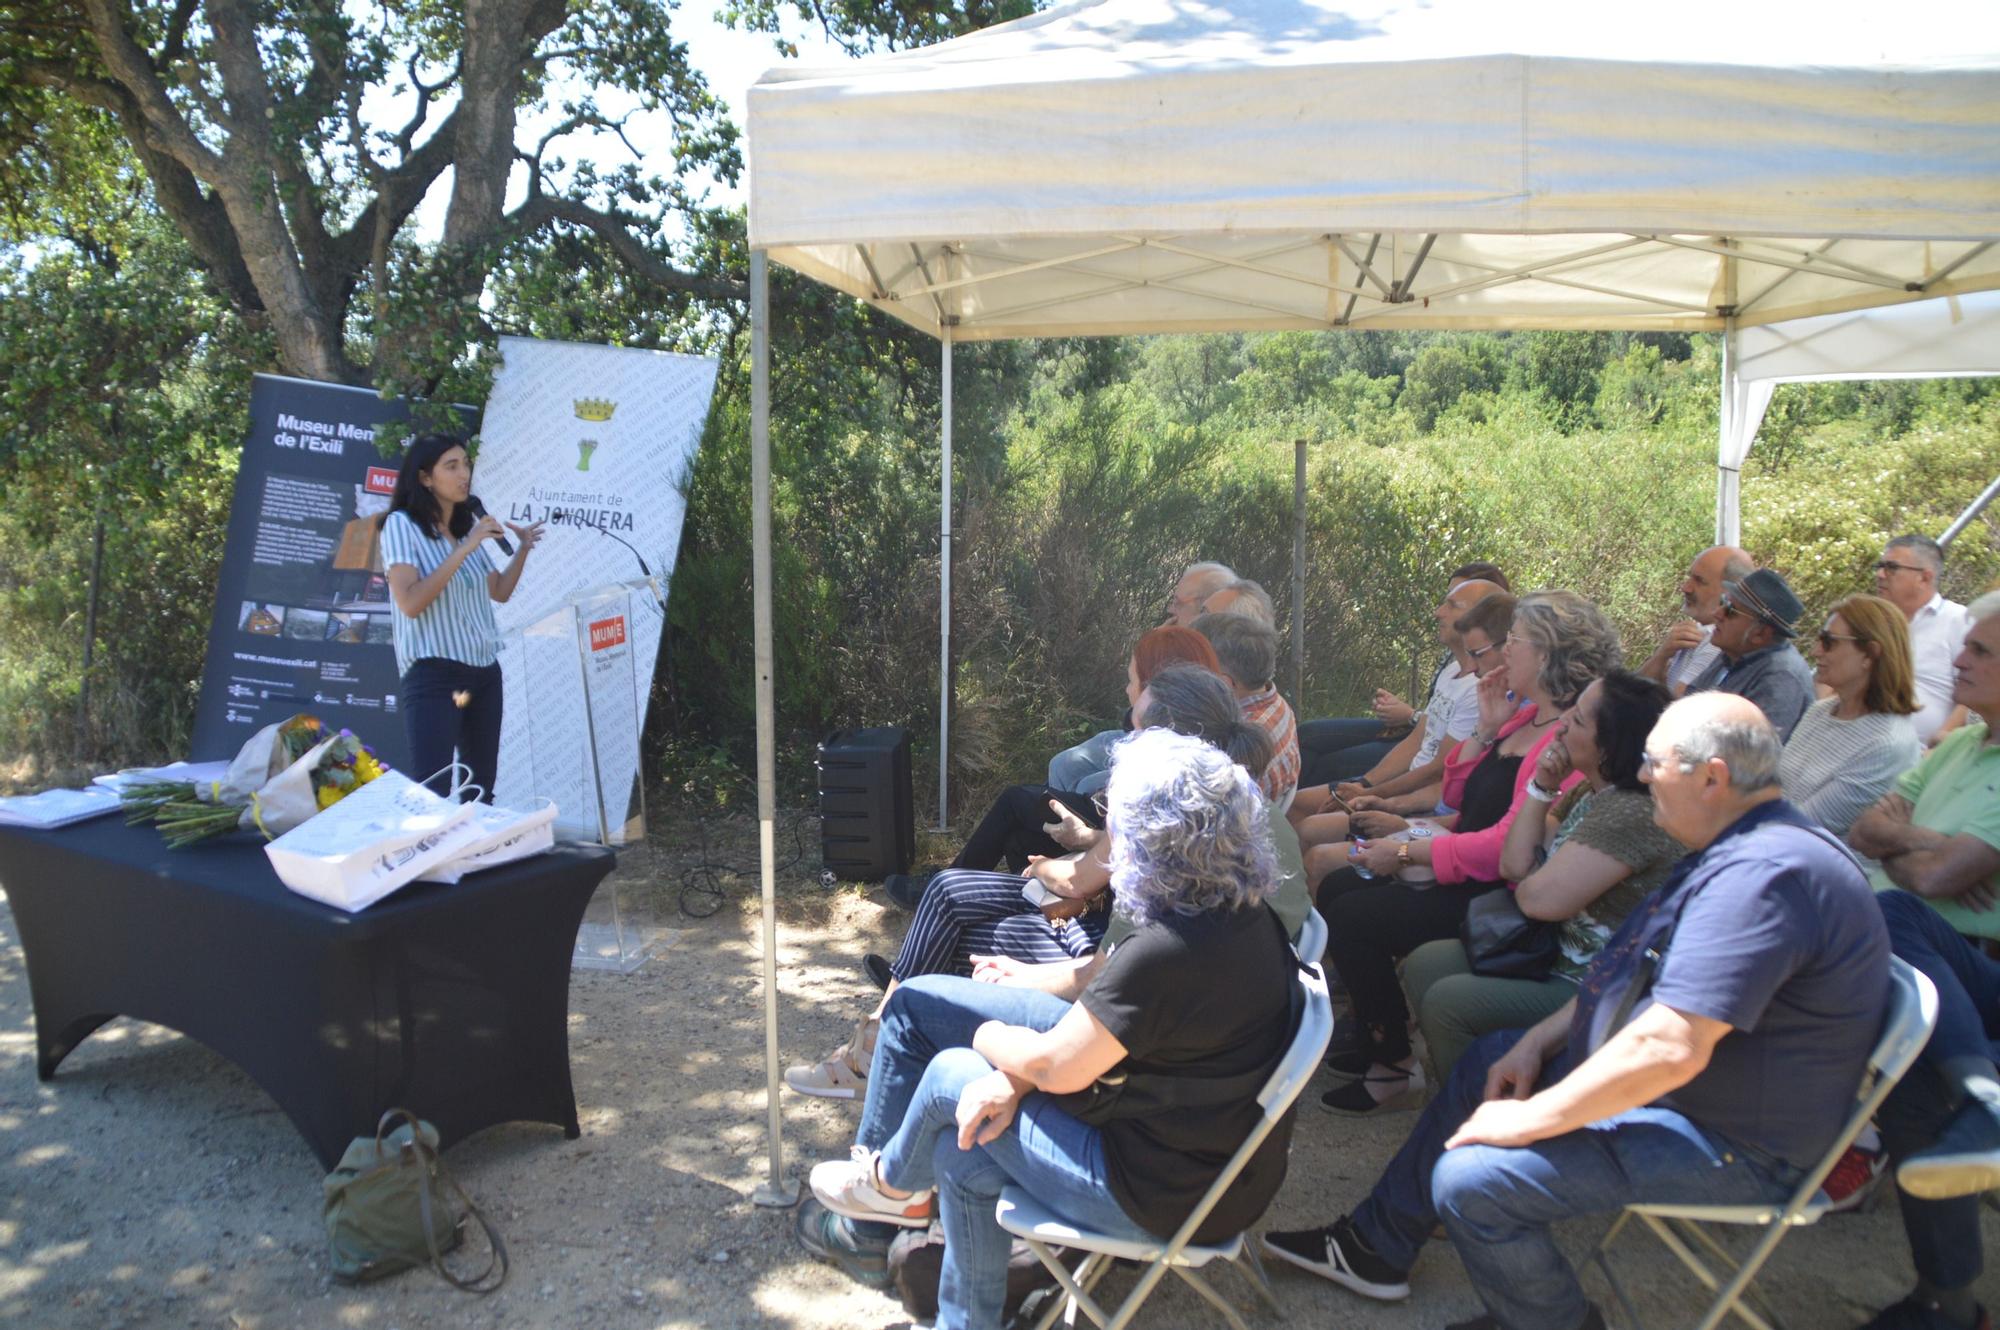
1179, 167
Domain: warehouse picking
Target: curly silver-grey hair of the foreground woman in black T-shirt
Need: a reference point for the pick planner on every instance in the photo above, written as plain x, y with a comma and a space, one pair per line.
1189, 829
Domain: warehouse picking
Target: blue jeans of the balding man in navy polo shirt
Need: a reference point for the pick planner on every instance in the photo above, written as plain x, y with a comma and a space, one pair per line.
1499, 1203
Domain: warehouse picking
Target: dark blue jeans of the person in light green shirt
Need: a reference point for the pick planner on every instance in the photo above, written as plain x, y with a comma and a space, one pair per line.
1945, 1235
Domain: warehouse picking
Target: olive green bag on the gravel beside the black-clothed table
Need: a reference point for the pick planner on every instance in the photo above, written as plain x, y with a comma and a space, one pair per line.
387, 1209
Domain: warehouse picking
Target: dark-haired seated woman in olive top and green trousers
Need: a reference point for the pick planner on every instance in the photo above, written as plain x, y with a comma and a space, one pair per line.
1581, 871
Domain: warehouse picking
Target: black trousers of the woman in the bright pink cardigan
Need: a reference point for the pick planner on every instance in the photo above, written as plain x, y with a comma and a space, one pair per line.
1371, 925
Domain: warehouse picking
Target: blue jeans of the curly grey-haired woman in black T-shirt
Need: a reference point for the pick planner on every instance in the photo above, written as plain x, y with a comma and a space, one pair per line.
921, 1065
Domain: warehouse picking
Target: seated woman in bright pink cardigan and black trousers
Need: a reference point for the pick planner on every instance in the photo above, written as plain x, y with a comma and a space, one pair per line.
1557, 647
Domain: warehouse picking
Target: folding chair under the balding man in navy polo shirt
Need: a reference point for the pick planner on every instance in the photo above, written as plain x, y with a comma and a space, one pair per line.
1913, 1011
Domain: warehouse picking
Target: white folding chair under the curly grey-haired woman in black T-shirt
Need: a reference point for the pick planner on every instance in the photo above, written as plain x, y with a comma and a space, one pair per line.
1039, 1227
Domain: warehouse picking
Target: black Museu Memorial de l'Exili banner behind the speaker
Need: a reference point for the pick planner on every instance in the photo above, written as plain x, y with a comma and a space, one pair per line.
303, 613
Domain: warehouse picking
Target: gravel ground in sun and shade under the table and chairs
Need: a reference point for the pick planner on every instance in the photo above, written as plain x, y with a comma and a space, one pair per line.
153, 1185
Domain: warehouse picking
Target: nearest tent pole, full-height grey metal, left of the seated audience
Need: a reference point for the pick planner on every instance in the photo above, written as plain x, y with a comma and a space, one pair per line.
777, 1189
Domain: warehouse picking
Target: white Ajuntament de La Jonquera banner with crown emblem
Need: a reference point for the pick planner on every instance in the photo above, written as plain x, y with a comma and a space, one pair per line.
595, 441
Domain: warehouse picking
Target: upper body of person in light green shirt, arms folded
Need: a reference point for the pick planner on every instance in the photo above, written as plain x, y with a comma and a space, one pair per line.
1937, 833
